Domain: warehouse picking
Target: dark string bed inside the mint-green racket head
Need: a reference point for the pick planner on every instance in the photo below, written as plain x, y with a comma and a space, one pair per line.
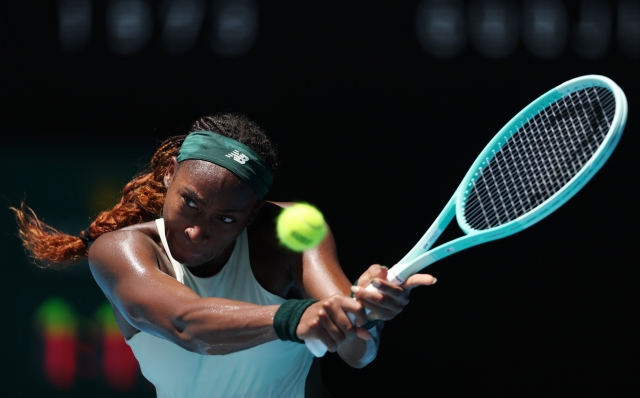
539, 158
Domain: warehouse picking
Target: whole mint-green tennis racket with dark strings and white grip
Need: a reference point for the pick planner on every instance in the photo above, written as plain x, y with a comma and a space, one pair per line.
537, 162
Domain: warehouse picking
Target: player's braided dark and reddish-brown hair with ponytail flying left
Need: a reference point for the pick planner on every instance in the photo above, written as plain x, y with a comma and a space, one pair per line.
142, 197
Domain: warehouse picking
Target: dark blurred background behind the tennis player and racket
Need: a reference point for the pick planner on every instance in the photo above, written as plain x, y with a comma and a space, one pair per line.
378, 109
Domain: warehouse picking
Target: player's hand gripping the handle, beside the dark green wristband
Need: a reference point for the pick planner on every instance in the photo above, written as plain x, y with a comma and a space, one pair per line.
327, 321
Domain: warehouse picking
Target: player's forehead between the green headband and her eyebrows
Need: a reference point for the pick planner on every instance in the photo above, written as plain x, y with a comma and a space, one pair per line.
214, 183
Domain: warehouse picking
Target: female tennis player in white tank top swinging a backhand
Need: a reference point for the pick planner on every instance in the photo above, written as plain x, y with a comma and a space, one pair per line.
209, 301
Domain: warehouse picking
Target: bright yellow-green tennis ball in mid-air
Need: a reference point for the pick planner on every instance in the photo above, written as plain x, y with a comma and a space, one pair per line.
301, 227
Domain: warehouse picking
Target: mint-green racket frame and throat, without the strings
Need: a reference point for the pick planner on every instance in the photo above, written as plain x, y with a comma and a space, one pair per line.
420, 256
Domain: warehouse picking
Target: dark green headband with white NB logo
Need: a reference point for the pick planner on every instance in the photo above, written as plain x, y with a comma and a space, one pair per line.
230, 154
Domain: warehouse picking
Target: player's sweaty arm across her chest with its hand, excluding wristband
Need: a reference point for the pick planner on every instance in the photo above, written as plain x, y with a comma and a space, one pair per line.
125, 266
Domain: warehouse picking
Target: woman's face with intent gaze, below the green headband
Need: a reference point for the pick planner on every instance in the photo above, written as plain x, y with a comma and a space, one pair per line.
205, 210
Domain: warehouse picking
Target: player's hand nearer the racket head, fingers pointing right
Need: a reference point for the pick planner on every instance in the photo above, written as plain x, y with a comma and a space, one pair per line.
390, 299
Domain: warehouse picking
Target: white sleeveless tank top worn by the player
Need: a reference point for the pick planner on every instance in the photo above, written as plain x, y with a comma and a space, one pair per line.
274, 369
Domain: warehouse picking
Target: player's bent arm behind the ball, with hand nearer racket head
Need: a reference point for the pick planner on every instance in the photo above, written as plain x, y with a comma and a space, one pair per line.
319, 276
